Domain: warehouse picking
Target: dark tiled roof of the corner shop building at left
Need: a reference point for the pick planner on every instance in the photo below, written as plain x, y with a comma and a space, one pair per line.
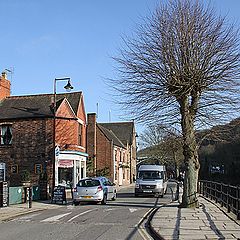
35, 106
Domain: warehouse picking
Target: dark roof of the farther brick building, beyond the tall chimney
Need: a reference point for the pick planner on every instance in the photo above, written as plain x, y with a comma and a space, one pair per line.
123, 130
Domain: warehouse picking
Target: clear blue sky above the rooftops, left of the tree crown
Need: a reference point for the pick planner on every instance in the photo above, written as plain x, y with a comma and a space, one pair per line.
46, 39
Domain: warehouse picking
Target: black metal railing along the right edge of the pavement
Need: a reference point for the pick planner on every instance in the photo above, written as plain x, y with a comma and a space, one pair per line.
226, 195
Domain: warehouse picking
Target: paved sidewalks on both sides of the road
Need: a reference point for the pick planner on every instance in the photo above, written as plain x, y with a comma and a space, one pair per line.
209, 221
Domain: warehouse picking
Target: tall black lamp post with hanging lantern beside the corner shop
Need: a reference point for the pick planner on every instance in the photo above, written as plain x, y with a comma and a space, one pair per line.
67, 87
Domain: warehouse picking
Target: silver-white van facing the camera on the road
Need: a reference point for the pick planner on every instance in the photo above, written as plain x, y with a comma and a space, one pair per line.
151, 180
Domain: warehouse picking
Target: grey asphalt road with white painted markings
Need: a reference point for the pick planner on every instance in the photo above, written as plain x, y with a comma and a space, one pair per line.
120, 219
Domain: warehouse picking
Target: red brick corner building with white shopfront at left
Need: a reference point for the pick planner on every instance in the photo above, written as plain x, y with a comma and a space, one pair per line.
26, 136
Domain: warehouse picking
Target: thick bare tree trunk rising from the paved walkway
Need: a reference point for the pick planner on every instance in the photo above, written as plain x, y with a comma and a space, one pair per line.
189, 198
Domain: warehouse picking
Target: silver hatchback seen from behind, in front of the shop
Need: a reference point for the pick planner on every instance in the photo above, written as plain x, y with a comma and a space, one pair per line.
99, 190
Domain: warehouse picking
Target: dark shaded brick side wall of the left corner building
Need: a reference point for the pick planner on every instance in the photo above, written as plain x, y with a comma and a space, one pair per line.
31, 144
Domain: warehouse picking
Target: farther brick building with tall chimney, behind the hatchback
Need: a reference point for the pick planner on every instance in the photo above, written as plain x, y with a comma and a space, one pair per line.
112, 150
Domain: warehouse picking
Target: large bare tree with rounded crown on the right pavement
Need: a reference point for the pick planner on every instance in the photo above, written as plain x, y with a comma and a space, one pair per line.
182, 67
